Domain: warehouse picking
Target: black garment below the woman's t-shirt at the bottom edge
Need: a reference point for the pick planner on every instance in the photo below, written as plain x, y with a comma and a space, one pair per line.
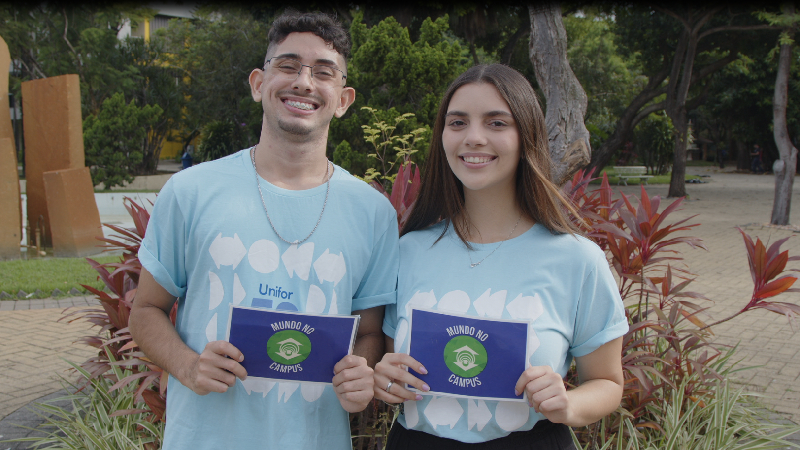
545, 435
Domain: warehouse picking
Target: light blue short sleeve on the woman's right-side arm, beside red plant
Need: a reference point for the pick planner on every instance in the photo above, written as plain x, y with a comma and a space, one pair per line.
601, 315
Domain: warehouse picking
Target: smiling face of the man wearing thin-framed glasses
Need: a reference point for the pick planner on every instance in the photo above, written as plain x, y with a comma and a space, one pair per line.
300, 106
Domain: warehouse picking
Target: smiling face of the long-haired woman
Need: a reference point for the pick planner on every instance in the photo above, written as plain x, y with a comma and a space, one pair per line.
481, 139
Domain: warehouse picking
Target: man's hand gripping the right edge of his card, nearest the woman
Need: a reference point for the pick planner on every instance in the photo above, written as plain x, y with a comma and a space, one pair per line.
352, 383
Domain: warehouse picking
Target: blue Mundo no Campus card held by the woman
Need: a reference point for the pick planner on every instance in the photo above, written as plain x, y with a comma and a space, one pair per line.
469, 356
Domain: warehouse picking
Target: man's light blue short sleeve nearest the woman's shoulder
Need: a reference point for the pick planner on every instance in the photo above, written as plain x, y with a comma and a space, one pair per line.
379, 284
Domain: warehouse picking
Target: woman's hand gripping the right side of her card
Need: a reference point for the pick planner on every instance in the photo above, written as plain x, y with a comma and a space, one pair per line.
545, 392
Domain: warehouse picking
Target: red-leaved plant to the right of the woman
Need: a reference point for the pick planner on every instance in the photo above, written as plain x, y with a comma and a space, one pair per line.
667, 344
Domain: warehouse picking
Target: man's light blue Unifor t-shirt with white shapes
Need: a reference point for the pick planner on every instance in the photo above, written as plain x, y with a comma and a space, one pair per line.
209, 244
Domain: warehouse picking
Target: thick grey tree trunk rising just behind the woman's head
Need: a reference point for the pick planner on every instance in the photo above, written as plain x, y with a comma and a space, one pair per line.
566, 100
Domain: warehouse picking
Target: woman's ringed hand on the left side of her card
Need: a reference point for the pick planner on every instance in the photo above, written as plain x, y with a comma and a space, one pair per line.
392, 368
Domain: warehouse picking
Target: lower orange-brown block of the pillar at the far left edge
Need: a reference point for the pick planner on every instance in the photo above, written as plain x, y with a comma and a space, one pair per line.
10, 218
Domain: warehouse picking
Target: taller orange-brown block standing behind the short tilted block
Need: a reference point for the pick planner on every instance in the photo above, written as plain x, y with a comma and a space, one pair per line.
51, 109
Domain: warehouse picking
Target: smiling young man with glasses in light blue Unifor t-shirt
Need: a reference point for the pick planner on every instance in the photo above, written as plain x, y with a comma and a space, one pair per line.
275, 226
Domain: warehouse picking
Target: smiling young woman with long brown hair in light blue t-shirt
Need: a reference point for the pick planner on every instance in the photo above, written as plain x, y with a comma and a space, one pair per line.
489, 236
